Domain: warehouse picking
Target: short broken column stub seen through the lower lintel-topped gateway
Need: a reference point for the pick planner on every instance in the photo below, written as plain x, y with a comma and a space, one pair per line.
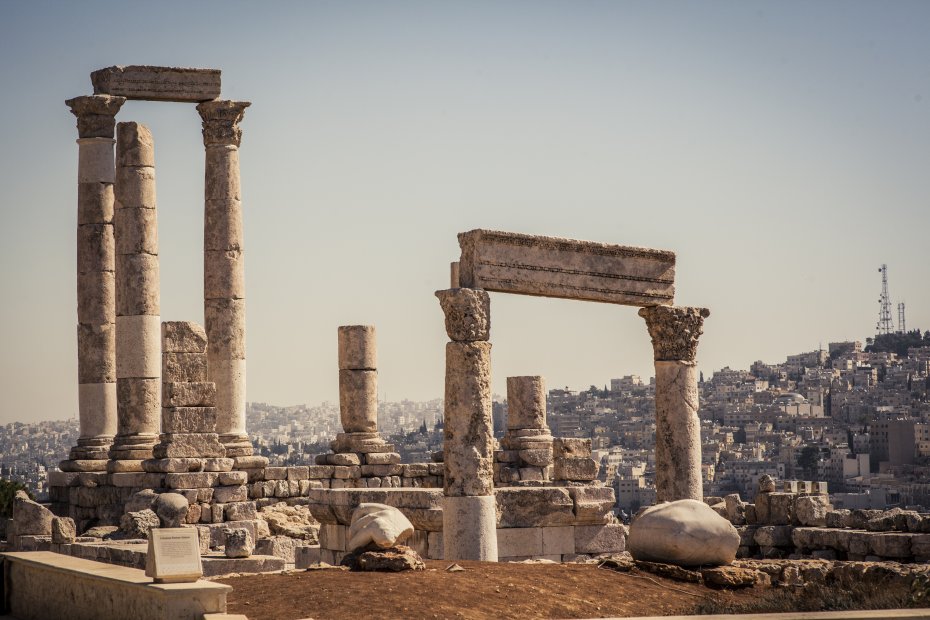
527, 443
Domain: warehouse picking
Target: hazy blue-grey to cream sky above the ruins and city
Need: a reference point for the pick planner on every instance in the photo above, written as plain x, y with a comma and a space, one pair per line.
780, 148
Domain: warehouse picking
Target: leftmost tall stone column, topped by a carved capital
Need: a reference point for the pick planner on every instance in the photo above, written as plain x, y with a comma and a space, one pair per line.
95, 282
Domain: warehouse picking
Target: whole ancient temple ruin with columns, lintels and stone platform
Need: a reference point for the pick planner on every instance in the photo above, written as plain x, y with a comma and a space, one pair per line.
162, 404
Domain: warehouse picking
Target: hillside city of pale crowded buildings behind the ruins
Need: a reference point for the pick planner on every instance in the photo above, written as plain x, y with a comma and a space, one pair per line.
854, 417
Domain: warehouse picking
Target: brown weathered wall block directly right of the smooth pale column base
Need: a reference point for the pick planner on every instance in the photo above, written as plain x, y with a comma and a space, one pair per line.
534, 507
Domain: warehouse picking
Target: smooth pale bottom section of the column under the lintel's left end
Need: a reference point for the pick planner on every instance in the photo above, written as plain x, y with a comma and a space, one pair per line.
469, 528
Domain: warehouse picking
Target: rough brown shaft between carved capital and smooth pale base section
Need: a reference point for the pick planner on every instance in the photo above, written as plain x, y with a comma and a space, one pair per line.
468, 436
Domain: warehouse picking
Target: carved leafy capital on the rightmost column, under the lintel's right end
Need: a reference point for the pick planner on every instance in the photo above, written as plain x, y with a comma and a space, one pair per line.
674, 331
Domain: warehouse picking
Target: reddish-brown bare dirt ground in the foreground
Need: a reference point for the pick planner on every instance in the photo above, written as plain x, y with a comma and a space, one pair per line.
483, 590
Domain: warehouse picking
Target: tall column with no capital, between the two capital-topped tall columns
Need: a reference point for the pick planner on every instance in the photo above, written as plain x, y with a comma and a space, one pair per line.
138, 321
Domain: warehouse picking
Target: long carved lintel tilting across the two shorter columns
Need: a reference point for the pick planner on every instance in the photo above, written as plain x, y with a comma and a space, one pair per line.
555, 267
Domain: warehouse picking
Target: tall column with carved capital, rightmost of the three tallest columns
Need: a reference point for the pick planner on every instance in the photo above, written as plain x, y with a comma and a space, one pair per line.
224, 273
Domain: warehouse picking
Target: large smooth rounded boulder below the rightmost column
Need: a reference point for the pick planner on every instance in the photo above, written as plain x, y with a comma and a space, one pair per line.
686, 532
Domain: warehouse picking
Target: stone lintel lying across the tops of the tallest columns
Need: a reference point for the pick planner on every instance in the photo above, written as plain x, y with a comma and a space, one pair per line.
151, 83
